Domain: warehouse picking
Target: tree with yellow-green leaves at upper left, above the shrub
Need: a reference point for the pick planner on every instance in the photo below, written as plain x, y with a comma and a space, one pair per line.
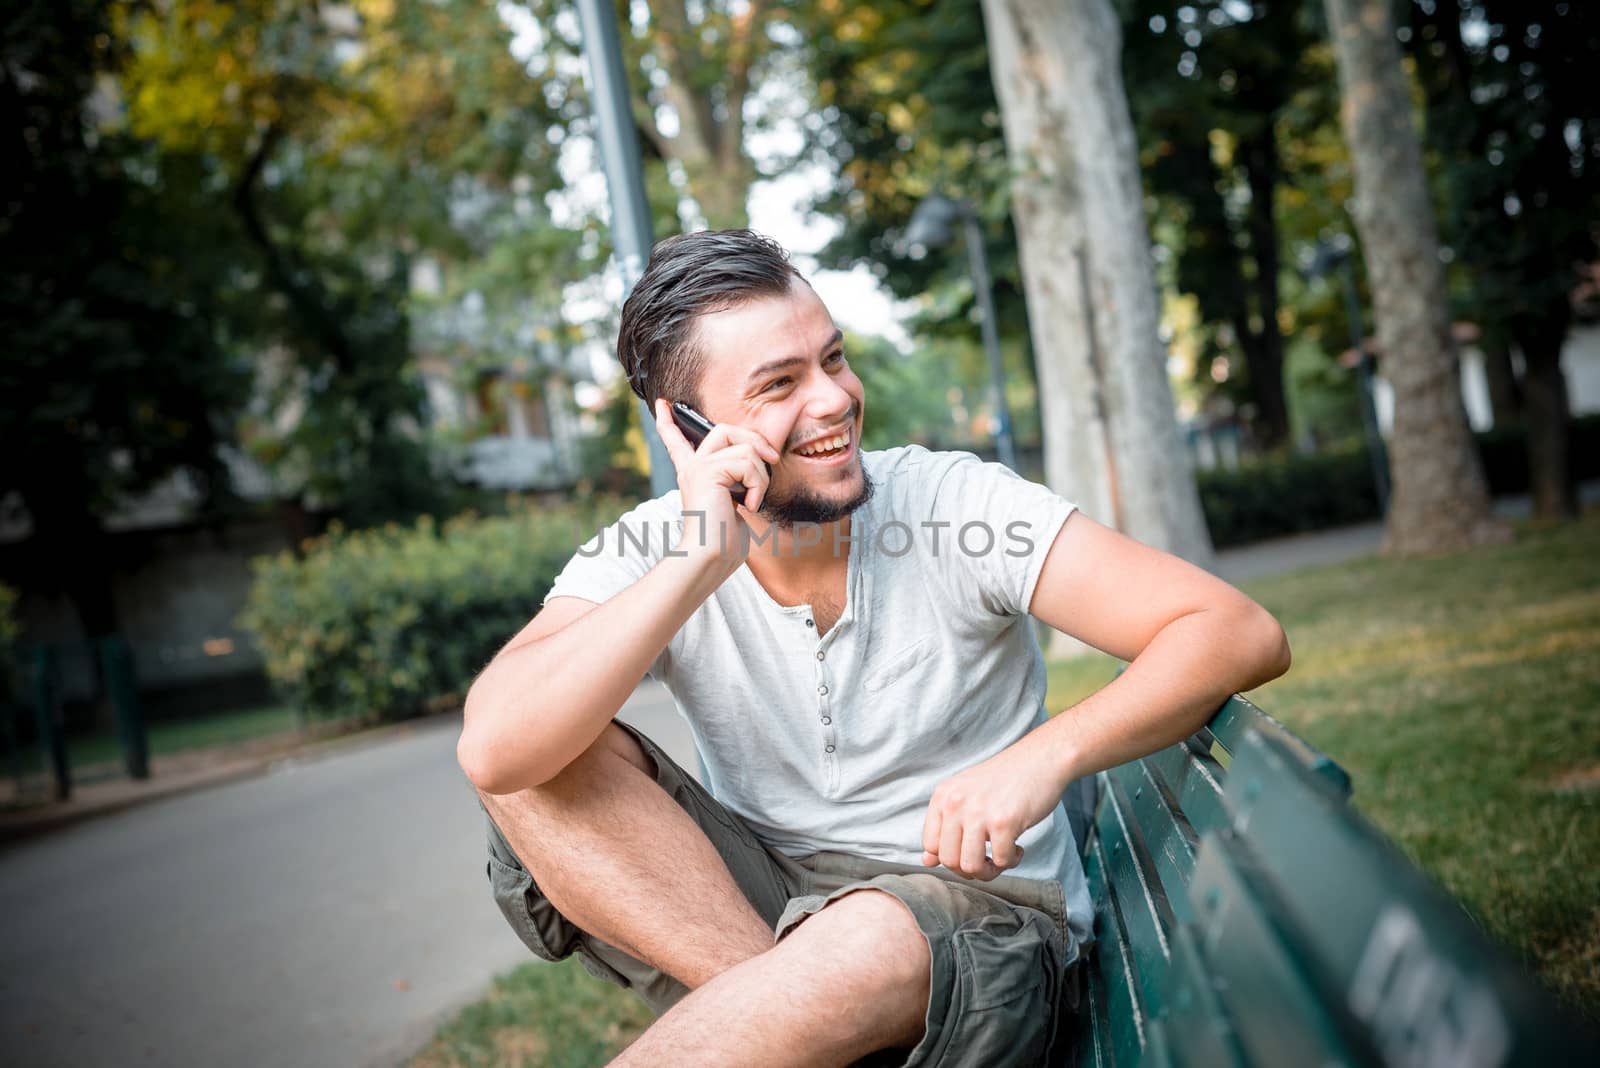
353, 143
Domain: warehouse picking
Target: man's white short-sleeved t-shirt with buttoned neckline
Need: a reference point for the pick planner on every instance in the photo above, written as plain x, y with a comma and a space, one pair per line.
836, 743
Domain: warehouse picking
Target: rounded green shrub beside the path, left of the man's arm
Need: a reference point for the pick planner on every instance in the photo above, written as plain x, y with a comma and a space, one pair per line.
377, 624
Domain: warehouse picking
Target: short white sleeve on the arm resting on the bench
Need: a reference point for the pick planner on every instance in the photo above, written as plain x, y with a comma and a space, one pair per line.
996, 530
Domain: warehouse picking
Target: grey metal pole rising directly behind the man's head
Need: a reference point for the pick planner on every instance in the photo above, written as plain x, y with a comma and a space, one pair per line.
631, 229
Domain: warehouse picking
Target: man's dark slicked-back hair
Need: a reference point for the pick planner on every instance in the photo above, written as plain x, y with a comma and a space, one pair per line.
687, 277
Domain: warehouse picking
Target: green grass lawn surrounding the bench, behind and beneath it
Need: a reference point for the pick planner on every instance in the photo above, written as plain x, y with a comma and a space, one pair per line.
1463, 696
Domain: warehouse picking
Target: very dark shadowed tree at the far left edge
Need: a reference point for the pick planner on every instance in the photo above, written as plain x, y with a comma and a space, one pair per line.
111, 293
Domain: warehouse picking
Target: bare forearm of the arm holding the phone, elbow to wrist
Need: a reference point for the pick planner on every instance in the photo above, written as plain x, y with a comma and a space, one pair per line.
556, 687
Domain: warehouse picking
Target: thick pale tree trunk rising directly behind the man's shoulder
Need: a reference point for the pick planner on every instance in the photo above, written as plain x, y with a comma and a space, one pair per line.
1111, 428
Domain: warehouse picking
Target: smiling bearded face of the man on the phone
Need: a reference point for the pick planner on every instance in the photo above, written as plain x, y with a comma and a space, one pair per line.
777, 365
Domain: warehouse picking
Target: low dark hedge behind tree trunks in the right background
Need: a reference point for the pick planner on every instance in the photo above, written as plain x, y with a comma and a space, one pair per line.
1290, 495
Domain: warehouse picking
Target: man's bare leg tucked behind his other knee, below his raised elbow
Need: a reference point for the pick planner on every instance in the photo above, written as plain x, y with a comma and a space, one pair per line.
623, 863
